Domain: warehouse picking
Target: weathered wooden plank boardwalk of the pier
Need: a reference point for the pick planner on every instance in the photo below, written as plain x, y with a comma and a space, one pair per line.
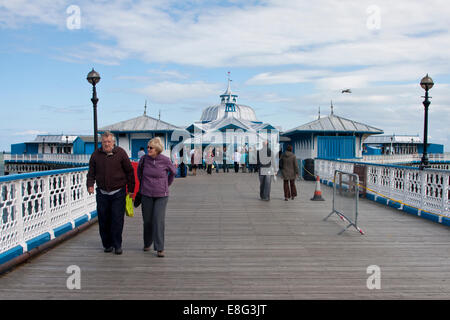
222, 242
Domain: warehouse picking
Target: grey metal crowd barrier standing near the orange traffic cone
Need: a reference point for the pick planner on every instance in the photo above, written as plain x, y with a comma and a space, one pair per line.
345, 198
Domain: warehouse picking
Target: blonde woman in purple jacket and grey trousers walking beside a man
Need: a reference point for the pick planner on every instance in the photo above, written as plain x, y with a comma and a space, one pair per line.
155, 173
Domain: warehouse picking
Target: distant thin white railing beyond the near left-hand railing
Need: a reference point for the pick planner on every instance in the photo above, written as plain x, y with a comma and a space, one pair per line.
49, 158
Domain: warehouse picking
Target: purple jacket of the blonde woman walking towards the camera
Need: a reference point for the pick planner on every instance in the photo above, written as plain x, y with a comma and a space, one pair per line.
155, 175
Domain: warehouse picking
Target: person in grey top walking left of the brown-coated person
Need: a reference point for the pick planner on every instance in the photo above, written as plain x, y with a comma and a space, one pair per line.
265, 161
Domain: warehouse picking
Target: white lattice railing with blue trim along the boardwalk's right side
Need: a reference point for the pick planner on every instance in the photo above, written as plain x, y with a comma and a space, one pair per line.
427, 190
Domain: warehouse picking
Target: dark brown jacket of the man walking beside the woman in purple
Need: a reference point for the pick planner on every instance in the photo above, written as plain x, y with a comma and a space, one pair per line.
111, 172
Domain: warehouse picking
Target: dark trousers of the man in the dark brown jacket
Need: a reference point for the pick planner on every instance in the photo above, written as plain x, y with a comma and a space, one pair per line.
111, 212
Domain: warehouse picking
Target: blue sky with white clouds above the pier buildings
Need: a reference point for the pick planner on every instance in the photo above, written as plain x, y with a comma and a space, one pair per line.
287, 59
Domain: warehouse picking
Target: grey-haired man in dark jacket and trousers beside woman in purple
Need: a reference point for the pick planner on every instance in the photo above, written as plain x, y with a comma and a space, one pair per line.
111, 169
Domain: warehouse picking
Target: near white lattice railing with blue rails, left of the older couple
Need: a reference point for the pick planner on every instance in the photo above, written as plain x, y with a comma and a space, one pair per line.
35, 205
